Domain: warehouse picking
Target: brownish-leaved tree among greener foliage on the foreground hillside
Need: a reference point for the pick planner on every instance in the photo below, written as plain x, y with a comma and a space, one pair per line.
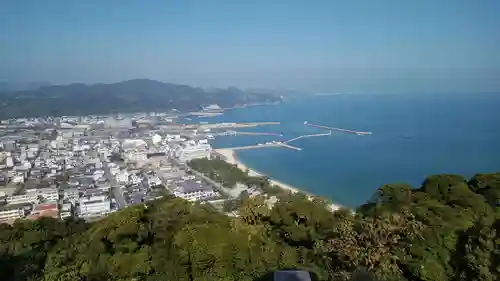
378, 244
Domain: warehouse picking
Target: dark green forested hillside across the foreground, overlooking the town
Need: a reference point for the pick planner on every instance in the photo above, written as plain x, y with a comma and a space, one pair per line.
447, 229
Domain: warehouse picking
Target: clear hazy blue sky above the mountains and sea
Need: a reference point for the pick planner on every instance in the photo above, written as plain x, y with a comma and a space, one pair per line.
311, 45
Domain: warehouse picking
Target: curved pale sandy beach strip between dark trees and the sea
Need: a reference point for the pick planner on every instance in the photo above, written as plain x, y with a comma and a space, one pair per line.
231, 157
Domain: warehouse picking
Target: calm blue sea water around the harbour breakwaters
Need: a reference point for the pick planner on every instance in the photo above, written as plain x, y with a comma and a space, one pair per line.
414, 135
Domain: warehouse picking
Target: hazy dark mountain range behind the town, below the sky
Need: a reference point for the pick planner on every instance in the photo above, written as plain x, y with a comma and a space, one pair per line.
127, 96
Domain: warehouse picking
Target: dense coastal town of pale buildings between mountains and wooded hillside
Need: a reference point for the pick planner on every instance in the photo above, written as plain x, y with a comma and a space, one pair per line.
91, 166
